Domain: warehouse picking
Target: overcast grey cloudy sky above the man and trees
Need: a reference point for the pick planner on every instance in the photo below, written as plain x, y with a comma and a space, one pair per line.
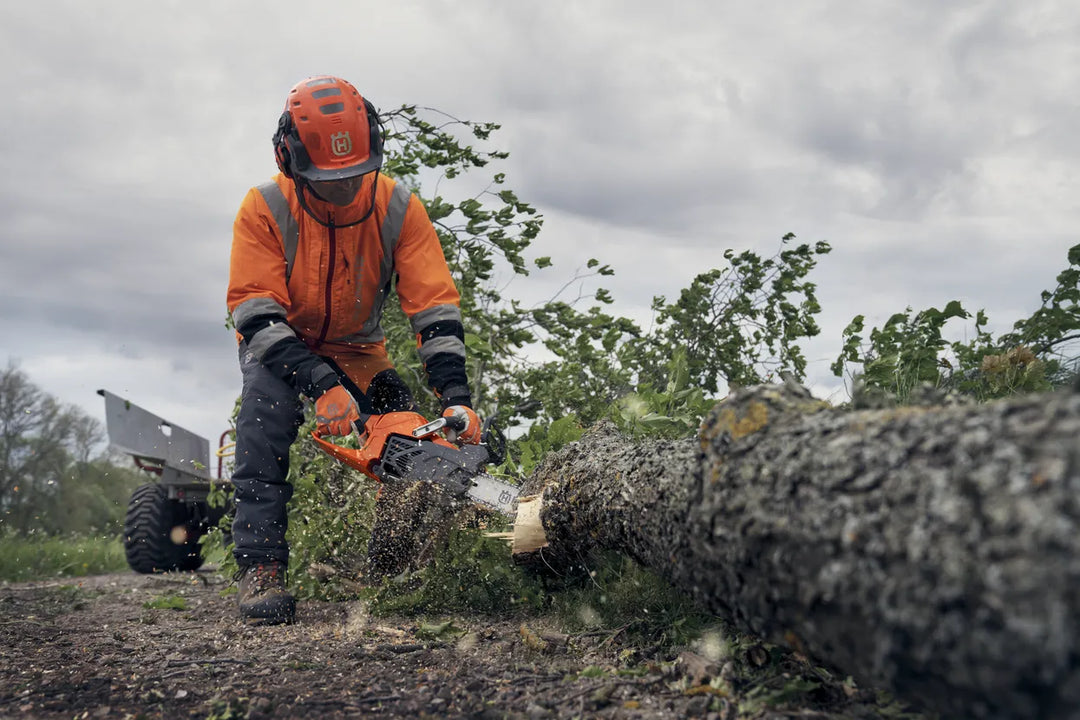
933, 144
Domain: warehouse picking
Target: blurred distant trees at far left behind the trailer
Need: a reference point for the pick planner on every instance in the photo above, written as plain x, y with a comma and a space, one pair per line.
52, 477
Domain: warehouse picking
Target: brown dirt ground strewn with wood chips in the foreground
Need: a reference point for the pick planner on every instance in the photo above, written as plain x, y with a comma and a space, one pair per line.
92, 648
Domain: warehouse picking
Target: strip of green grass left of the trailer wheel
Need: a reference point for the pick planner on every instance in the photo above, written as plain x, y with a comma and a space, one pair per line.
24, 559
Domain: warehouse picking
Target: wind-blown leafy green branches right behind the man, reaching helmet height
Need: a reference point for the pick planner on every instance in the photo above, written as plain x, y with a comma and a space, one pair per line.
571, 356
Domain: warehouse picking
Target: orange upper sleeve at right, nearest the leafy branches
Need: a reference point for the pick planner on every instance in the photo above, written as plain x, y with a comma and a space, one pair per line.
425, 280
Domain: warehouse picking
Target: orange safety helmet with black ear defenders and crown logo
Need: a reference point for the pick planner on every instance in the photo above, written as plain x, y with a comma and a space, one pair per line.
328, 132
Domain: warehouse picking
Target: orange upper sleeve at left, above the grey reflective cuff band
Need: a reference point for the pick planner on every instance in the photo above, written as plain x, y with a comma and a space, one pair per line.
258, 265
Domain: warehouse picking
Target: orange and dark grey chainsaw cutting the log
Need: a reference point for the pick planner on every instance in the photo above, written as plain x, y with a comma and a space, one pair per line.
406, 447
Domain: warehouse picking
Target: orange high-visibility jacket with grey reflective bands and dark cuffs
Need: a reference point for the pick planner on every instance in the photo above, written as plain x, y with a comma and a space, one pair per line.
292, 278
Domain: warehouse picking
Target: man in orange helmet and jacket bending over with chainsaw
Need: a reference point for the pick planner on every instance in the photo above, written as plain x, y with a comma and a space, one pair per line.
315, 252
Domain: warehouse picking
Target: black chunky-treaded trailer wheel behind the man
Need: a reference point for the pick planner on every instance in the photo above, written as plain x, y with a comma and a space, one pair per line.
159, 535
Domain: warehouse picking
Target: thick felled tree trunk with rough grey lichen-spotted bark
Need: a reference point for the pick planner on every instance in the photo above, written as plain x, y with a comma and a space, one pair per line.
930, 551
